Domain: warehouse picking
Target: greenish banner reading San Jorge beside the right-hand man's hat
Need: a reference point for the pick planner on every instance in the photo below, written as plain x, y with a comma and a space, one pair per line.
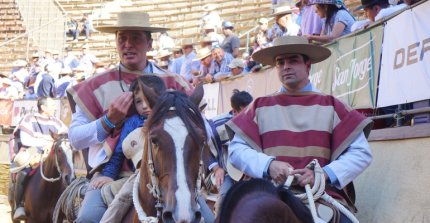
352, 71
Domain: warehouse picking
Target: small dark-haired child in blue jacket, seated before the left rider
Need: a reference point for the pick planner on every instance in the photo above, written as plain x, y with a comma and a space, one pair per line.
110, 181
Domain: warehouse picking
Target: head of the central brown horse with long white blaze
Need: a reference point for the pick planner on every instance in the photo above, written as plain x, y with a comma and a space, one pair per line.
175, 147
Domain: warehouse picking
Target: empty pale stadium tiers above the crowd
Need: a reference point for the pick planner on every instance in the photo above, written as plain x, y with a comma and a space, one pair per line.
181, 16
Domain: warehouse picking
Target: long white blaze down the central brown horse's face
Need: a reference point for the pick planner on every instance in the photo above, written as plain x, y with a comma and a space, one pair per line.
177, 130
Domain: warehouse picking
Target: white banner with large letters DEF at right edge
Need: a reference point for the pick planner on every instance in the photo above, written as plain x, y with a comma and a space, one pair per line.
405, 67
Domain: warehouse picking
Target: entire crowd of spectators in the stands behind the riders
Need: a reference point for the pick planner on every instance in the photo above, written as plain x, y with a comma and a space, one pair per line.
215, 57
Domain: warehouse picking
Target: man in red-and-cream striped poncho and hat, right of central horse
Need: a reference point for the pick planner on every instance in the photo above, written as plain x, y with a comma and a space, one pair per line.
286, 131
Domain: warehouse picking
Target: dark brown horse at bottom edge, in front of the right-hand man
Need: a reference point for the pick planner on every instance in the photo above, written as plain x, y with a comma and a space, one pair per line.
259, 200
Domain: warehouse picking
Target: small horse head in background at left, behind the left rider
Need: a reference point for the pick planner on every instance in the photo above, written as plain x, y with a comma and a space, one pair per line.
63, 156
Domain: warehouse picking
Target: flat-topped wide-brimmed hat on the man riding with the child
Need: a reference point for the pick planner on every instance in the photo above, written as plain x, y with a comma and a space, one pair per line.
131, 21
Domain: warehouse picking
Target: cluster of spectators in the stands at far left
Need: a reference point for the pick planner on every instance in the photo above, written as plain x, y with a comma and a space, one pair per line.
48, 75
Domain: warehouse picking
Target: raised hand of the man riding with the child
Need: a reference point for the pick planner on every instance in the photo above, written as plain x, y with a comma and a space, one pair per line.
119, 107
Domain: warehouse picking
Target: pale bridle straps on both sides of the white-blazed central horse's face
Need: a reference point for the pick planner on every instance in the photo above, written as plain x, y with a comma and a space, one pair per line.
155, 190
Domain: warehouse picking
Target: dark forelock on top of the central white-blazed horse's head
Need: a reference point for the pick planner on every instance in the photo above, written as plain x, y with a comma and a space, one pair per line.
184, 108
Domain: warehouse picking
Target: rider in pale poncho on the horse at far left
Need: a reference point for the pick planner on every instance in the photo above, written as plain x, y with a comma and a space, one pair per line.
29, 141
